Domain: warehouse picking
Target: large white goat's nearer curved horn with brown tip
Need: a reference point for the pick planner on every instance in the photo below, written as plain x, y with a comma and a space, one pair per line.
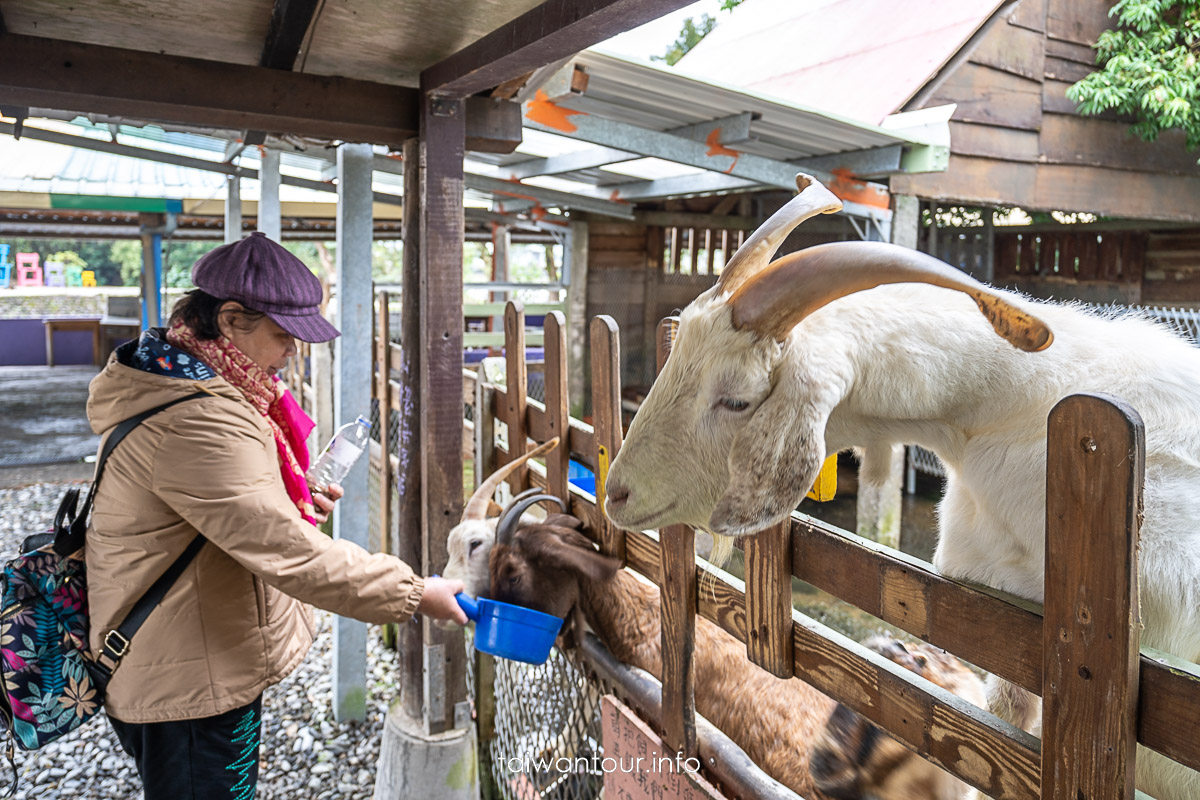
775, 302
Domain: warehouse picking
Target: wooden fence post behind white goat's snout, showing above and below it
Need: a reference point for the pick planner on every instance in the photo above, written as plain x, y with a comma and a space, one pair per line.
679, 600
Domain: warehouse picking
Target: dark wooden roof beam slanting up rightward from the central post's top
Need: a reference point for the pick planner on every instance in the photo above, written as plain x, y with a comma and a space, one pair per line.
554, 31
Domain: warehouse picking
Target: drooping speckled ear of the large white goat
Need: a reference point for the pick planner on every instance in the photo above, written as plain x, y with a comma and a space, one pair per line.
776, 456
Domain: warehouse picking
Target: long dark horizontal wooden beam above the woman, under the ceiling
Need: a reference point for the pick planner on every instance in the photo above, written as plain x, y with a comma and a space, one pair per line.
91, 79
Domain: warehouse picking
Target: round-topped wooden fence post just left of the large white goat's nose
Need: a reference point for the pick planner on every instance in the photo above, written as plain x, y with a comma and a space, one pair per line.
607, 416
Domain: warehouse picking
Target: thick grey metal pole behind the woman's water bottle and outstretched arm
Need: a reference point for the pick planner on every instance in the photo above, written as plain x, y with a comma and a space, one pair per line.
352, 398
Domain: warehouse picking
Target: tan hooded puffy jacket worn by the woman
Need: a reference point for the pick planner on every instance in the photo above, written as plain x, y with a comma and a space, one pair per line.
236, 622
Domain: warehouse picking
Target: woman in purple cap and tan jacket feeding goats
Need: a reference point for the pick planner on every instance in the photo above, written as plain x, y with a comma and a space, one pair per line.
187, 699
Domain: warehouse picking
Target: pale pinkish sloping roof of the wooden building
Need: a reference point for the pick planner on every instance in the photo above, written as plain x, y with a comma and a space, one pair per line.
862, 59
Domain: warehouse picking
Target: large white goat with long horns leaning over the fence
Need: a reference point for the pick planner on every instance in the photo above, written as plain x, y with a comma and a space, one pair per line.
778, 365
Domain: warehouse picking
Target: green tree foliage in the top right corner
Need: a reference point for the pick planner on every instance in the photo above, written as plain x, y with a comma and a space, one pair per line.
1151, 69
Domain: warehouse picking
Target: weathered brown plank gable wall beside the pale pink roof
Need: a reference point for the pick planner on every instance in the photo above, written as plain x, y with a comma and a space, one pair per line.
1016, 140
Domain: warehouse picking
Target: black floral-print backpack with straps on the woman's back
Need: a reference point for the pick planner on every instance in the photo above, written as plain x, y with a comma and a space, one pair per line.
51, 683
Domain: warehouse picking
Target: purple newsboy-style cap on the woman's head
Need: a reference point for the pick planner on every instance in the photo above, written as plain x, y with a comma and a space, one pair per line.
263, 276
